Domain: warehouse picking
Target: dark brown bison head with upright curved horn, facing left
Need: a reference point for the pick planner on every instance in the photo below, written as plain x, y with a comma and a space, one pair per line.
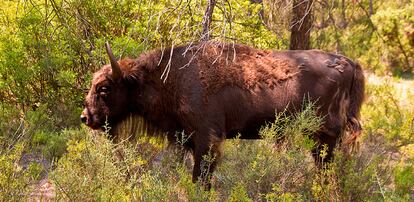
107, 99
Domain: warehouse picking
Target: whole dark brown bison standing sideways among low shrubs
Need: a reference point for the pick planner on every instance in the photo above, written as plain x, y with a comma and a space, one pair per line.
215, 91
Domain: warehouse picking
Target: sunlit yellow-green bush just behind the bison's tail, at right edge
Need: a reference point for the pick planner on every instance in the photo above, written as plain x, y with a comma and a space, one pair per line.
388, 116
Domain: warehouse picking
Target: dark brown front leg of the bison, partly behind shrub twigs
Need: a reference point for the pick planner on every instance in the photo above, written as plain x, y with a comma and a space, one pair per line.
207, 153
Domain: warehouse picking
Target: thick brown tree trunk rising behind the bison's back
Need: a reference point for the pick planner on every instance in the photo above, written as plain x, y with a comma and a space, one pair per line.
301, 24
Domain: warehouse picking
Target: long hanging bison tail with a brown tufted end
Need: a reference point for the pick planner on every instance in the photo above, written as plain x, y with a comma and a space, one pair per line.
356, 98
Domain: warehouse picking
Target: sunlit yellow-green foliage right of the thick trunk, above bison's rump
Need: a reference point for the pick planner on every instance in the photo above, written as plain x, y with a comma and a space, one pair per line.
382, 41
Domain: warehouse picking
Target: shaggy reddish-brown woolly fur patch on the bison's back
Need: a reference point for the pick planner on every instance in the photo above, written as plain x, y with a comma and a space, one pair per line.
242, 66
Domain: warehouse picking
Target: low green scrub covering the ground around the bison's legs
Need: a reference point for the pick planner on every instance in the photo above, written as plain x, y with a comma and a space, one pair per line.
87, 166
